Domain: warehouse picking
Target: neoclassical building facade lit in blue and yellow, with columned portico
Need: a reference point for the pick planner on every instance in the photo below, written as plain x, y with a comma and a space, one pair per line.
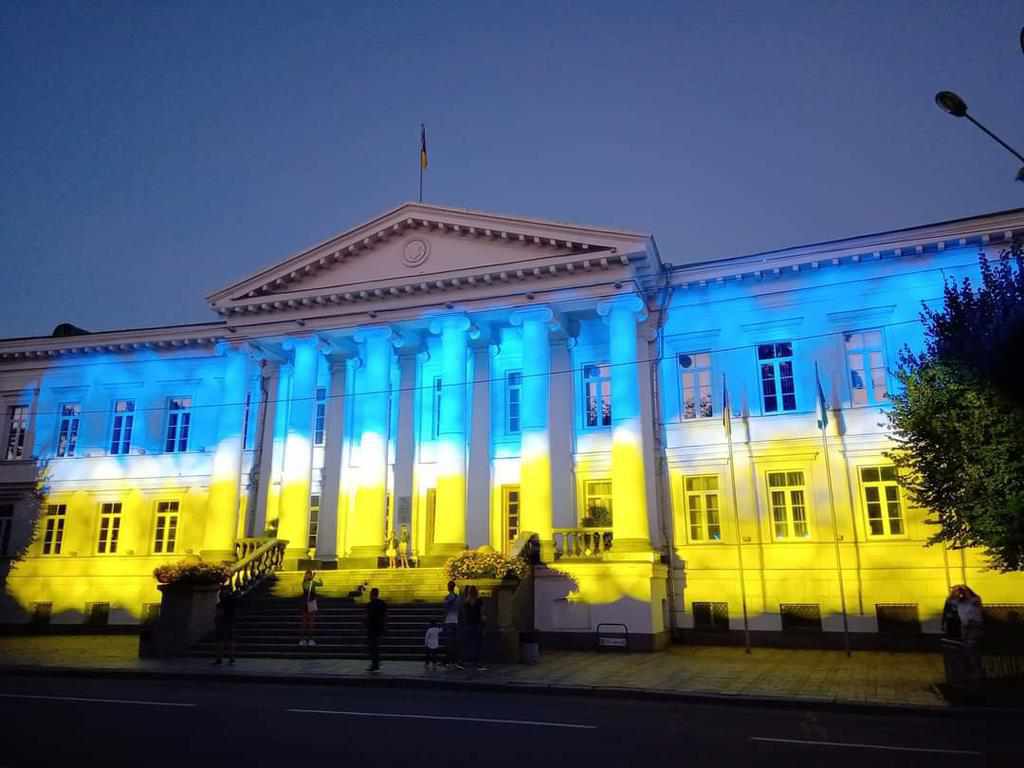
473, 379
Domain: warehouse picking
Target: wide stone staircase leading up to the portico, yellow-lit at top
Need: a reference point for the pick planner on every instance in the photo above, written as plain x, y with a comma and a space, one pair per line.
269, 624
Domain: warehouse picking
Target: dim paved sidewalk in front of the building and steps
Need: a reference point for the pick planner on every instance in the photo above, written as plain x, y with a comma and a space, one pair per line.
869, 678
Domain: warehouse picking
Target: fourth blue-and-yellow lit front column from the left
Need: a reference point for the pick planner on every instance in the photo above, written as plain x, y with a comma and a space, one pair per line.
450, 527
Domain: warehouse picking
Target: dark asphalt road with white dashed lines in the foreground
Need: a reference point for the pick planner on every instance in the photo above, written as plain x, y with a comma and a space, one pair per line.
87, 721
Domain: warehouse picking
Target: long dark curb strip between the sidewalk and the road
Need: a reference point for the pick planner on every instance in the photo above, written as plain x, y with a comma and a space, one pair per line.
399, 681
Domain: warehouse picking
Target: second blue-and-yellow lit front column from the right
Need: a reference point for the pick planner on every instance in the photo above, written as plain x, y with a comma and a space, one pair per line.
535, 461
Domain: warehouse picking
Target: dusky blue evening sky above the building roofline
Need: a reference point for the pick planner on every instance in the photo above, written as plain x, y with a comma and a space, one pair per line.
155, 153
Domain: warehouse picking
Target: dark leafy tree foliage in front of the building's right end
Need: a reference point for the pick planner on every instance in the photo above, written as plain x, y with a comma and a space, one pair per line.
959, 421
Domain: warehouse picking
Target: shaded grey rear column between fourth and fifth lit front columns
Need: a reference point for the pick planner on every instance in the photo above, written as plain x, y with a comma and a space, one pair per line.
479, 477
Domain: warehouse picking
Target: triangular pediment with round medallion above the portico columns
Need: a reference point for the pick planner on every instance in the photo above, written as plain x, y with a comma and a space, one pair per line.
420, 248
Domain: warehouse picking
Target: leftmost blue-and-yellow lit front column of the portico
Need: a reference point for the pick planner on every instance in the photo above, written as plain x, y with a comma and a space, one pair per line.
223, 503
